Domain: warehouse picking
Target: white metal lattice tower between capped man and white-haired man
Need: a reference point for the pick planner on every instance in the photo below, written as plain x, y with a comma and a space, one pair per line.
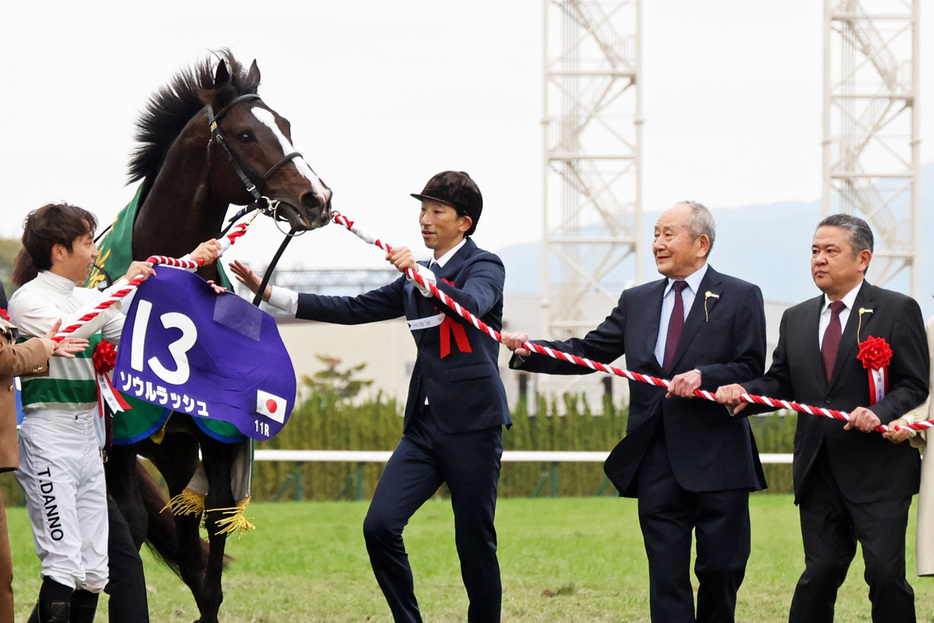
592, 158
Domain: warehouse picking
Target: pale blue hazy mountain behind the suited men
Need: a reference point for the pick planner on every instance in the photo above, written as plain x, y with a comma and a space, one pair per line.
766, 244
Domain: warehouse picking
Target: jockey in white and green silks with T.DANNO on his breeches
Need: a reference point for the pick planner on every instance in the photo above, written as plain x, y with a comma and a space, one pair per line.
62, 435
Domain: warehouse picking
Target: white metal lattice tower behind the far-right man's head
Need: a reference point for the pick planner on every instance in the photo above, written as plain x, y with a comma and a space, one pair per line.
871, 127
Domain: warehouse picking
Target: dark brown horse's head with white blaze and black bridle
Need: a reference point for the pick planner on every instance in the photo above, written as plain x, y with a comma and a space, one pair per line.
258, 160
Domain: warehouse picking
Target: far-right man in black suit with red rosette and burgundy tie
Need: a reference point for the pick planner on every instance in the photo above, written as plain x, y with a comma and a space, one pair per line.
851, 485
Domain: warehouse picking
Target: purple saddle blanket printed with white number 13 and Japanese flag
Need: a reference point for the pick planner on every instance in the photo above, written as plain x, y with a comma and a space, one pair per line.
211, 356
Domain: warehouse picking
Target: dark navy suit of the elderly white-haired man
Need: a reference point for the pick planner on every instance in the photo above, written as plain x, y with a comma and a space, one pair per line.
690, 464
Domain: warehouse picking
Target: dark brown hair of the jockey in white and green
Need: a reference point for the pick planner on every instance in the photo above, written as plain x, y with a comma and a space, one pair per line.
52, 224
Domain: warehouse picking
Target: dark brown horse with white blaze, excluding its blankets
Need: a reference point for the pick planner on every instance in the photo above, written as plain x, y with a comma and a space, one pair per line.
205, 140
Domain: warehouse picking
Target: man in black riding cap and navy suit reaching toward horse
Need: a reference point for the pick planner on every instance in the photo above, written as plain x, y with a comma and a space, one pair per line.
456, 407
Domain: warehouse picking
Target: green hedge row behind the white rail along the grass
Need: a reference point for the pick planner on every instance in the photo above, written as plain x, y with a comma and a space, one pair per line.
323, 422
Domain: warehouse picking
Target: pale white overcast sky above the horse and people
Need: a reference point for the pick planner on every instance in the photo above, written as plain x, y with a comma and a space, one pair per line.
382, 95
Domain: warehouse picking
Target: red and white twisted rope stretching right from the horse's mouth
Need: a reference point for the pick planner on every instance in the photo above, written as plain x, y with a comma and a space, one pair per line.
367, 236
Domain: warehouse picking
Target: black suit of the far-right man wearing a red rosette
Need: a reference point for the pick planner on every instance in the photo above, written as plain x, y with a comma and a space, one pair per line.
851, 486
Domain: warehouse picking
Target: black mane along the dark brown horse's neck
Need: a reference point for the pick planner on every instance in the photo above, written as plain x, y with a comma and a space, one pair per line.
171, 108
